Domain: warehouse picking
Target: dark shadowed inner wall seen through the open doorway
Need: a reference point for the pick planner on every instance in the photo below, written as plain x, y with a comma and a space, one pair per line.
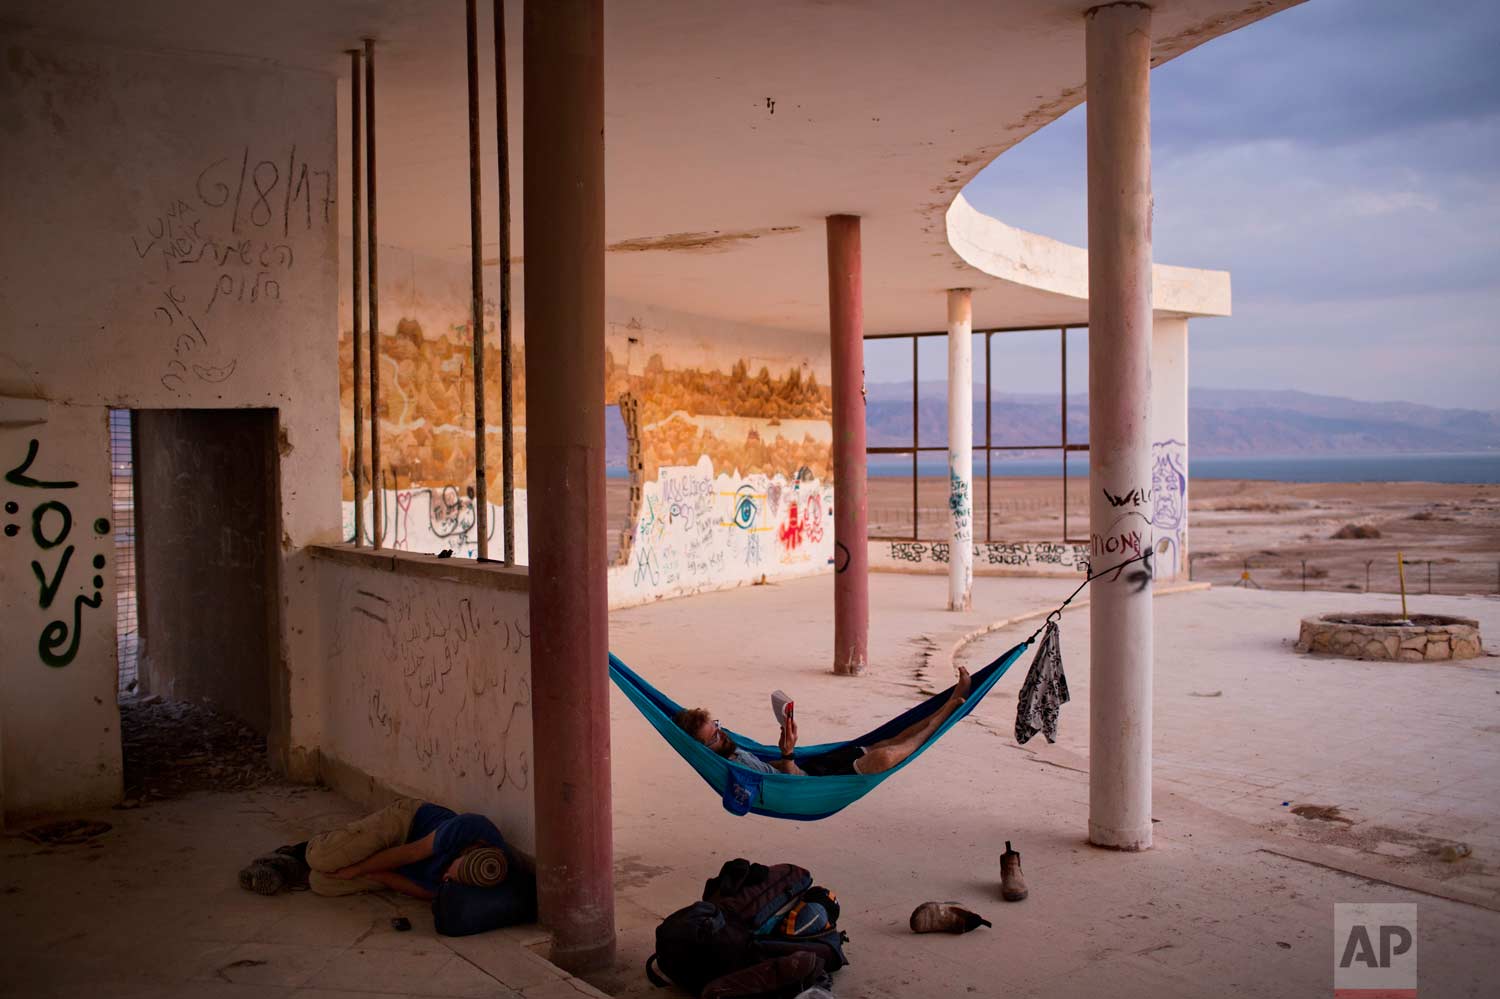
206, 542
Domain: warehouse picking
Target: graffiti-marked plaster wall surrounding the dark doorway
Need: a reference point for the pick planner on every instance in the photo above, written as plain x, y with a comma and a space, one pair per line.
179, 253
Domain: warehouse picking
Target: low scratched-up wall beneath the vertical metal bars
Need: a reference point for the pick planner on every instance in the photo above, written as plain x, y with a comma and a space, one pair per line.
434, 683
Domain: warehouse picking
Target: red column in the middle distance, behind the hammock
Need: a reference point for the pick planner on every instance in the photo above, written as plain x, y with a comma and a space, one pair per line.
851, 545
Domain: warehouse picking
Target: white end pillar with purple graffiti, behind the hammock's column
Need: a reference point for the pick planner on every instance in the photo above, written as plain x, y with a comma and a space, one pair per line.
1169, 446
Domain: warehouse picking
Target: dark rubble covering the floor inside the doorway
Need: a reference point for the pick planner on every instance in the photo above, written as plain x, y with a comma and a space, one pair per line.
175, 748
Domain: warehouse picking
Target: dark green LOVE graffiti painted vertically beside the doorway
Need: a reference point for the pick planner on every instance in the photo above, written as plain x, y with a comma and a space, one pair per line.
52, 527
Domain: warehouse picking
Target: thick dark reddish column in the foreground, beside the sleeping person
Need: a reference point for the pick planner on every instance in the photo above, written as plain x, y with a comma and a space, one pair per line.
565, 238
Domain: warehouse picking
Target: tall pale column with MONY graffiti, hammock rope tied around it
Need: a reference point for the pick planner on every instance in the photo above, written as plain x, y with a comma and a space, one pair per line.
1118, 40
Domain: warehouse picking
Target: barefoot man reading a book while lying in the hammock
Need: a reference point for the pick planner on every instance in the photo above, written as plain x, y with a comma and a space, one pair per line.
844, 761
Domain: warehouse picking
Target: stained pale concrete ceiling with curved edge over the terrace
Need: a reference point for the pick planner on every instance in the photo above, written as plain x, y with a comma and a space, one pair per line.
733, 130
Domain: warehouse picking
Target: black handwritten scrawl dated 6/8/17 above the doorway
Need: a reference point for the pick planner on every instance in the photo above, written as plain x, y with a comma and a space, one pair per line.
229, 244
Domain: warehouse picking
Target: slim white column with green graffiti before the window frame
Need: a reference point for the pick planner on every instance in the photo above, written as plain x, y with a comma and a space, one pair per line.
961, 449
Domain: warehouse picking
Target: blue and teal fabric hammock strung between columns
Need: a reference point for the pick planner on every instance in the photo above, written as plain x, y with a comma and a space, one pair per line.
793, 796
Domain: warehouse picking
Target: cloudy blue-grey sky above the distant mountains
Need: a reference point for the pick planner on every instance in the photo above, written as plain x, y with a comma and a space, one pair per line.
1343, 161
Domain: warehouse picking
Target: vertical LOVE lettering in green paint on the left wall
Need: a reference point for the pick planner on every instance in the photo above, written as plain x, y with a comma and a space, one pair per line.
41, 506
